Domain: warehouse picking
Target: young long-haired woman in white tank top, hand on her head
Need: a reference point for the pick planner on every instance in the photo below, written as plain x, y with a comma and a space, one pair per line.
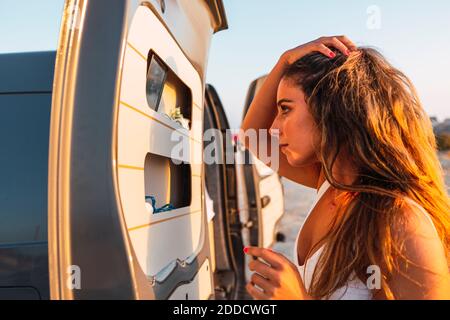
351, 125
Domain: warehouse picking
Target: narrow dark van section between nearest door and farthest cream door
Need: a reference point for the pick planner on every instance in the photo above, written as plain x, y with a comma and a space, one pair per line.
221, 184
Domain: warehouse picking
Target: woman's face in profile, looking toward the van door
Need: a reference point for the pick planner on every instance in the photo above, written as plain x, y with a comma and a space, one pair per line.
297, 131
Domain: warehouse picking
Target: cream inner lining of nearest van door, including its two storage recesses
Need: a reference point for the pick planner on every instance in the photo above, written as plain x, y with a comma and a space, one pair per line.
159, 139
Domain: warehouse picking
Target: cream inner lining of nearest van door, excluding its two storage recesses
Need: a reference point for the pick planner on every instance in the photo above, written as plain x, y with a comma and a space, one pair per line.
161, 238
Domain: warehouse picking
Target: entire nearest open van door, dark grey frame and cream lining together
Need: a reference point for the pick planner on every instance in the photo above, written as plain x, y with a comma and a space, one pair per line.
126, 202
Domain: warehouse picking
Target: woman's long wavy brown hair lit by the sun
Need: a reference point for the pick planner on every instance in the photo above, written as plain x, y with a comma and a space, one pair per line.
363, 105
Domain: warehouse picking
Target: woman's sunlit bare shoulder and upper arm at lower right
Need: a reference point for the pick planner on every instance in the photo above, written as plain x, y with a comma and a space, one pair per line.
423, 271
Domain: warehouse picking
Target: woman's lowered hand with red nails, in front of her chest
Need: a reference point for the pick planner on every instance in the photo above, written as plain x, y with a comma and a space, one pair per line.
277, 276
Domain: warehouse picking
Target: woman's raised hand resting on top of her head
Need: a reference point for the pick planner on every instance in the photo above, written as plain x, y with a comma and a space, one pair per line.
322, 44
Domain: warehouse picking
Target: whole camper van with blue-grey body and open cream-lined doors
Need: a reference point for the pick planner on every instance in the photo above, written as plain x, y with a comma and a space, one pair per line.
94, 203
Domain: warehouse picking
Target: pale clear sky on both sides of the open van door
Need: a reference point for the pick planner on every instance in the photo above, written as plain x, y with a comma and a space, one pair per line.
414, 35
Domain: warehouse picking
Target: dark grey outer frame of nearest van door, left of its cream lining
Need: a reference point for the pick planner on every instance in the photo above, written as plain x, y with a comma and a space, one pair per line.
89, 257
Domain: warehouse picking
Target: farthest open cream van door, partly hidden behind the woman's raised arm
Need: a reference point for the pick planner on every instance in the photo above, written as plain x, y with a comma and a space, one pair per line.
264, 192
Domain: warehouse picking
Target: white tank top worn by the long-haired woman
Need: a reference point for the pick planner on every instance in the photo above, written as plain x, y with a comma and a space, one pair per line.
355, 289
